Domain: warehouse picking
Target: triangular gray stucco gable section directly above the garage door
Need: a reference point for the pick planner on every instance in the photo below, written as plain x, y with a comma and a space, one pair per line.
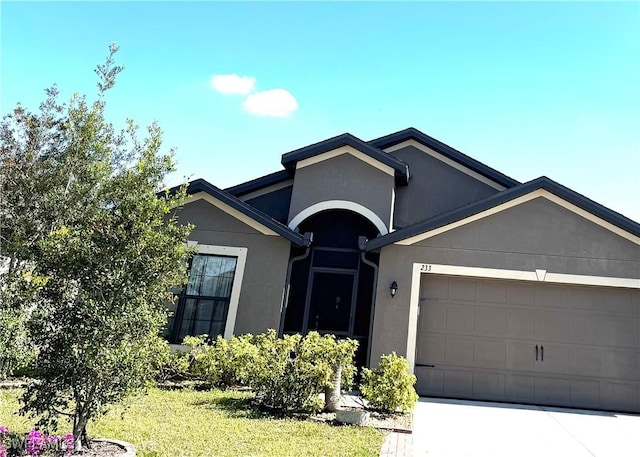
539, 234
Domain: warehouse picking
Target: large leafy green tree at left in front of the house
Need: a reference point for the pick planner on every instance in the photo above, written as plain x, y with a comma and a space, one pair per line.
93, 250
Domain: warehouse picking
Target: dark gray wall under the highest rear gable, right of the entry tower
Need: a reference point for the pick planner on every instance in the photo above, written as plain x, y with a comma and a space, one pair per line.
433, 189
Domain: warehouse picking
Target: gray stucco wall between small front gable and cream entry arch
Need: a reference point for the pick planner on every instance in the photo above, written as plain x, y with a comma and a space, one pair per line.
344, 177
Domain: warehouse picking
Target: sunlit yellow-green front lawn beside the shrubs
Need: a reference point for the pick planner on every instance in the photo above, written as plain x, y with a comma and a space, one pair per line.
188, 423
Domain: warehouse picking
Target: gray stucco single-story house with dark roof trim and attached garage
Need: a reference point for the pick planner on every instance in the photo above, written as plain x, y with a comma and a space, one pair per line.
493, 289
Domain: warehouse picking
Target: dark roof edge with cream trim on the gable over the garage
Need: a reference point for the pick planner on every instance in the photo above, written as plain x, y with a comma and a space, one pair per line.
541, 187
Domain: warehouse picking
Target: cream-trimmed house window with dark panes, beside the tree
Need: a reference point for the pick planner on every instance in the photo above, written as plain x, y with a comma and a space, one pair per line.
209, 302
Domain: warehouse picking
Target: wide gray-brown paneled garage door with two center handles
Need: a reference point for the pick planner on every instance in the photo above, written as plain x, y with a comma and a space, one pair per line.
529, 342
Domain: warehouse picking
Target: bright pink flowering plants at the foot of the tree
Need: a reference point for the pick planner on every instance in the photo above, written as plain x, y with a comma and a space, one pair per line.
34, 444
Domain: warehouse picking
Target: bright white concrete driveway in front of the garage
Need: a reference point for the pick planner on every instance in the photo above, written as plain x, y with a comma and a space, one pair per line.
458, 428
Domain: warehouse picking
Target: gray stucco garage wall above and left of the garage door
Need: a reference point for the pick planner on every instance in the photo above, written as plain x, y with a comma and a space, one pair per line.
535, 235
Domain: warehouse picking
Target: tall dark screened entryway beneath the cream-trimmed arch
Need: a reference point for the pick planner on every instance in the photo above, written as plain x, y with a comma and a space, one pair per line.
331, 287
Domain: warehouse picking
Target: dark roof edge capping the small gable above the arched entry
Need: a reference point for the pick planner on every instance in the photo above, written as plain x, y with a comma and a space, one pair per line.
400, 169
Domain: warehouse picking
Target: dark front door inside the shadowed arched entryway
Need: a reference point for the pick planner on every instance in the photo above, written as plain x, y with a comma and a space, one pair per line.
330, 303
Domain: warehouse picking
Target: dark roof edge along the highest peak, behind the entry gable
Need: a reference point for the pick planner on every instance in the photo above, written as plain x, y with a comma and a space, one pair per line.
394, 140
